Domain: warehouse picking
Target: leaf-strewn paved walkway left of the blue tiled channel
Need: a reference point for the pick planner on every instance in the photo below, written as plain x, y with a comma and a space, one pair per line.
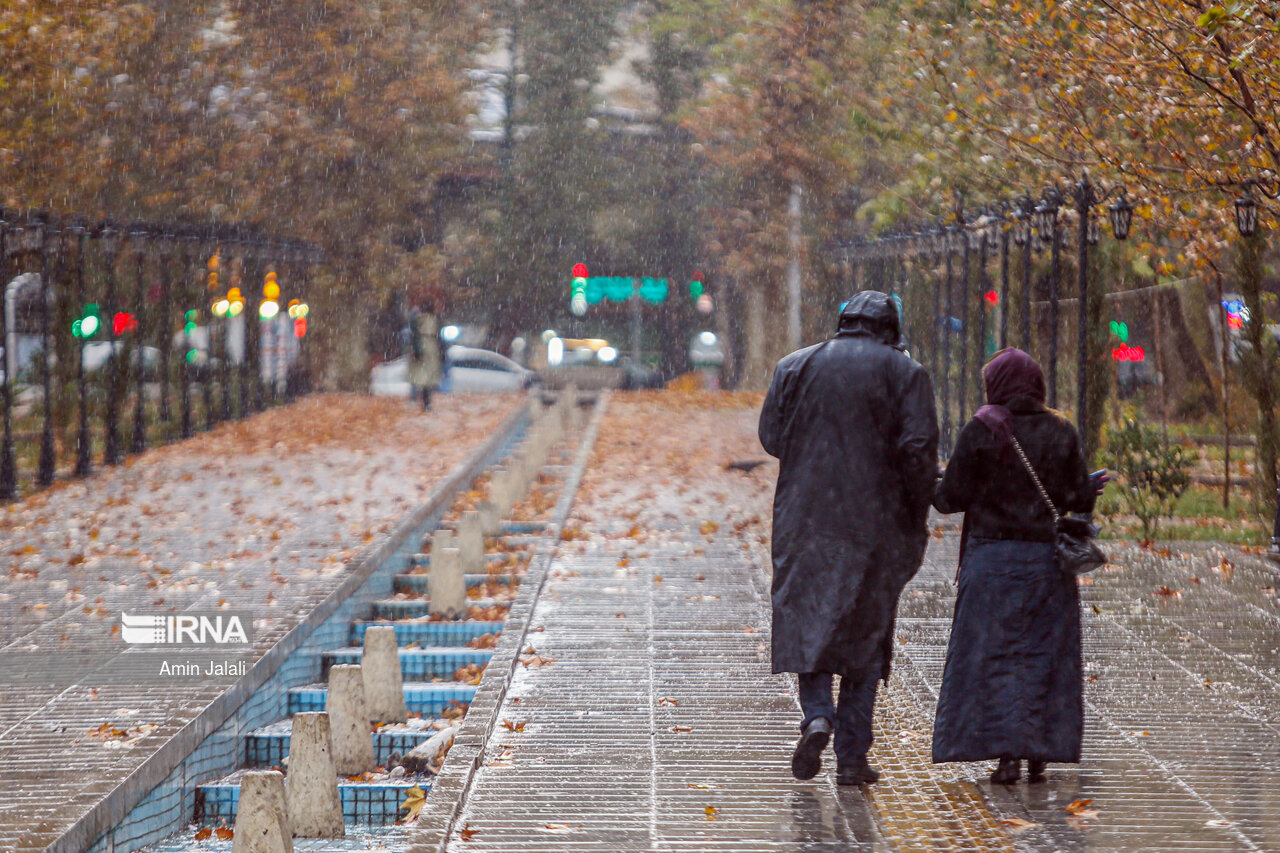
264, 516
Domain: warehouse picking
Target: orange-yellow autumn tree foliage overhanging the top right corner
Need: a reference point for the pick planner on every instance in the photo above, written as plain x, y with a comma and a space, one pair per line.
1177, 99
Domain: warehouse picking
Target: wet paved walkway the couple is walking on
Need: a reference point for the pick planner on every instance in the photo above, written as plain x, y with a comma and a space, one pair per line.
647, 718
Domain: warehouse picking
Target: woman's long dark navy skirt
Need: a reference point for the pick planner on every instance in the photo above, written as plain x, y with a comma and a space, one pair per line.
1012, 686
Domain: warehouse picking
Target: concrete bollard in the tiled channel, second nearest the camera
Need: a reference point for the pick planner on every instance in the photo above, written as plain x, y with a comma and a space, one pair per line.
312, 788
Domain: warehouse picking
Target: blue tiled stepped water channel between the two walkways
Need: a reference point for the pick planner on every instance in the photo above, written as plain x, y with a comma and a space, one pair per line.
204, 790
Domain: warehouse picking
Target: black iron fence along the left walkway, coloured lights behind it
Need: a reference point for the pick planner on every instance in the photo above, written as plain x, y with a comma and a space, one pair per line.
118, 336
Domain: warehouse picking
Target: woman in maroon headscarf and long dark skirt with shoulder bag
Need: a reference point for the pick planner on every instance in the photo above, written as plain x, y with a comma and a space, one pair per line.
1012, 688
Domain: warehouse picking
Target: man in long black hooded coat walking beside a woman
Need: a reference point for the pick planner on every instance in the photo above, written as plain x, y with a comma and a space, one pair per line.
853, 425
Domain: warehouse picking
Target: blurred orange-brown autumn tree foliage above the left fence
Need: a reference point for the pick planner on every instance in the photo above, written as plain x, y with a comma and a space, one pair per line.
323, 120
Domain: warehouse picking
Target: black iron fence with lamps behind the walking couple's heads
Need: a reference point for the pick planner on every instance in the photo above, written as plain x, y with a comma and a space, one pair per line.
956, 312
